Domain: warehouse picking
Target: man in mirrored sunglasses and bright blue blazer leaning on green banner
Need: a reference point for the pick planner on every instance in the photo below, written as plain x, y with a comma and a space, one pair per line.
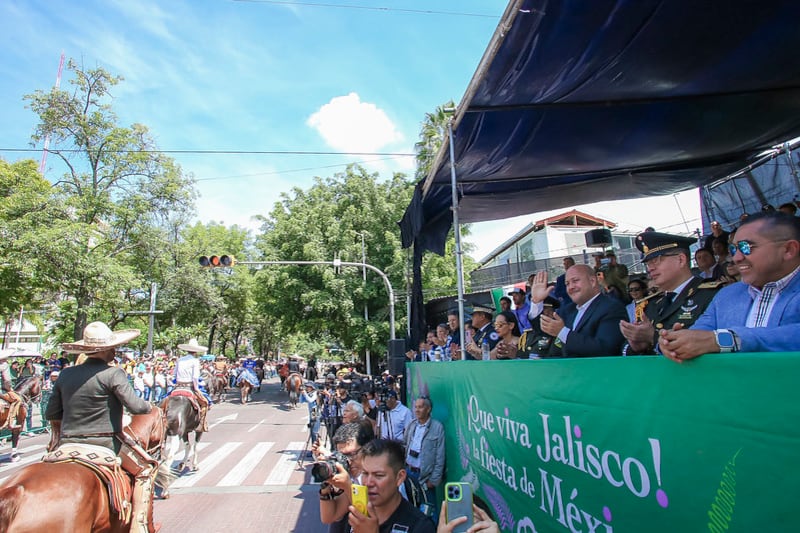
761, 313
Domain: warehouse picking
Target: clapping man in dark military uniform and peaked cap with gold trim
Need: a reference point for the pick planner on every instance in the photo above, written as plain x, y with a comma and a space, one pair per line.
682, 298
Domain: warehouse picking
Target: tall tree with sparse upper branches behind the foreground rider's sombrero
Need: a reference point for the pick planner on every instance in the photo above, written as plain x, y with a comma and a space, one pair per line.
119, 195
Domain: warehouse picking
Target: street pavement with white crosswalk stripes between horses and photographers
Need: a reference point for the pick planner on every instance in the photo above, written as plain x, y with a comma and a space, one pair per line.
248, 475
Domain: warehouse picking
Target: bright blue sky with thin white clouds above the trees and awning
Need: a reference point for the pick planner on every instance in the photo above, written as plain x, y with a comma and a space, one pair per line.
269, 76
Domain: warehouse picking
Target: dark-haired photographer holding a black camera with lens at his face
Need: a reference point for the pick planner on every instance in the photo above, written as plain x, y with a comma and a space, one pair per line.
334, 493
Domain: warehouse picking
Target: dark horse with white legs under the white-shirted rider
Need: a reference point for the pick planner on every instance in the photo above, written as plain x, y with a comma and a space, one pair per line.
183, 418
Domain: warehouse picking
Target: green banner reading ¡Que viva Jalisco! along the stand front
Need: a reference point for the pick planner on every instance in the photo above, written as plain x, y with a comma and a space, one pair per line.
624, 444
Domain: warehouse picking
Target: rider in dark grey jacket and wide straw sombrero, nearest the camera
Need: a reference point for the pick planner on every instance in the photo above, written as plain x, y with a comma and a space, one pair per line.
86, 408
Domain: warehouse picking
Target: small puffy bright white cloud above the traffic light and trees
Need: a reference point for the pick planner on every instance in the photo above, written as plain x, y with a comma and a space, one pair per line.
350, 125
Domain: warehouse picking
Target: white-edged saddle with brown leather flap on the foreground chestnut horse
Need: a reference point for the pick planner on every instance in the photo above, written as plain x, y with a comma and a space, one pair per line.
106, 466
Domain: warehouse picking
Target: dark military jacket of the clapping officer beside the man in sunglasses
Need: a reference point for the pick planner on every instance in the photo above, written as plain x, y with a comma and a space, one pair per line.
685, 308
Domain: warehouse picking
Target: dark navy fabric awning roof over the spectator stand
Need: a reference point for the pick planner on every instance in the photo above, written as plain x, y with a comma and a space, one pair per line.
576, 103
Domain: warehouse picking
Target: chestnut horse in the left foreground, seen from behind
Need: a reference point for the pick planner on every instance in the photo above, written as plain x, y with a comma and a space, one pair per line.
76, 499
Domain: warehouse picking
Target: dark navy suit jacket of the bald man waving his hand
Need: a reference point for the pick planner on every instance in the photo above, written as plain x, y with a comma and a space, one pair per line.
598, 331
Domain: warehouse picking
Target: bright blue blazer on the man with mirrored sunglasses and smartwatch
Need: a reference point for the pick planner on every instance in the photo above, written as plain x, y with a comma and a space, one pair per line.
731, 306
